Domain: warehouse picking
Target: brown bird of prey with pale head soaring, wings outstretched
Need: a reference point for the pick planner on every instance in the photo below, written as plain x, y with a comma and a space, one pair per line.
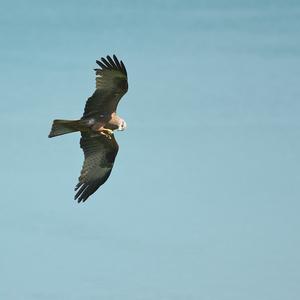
97, 126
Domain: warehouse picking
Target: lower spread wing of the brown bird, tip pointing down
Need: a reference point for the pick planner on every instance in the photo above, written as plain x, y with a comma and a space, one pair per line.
99, 156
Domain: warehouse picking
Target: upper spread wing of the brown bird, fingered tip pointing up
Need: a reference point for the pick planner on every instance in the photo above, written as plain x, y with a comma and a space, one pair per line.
111, 85
